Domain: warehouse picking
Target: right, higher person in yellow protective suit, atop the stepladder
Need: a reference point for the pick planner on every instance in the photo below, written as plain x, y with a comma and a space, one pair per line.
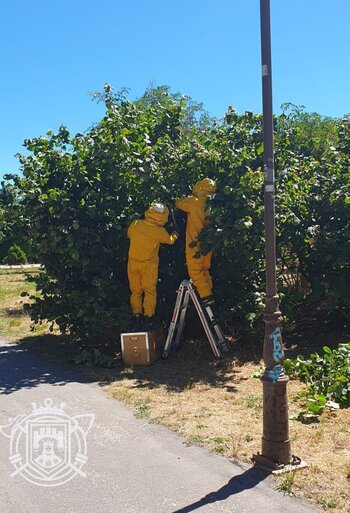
197, 218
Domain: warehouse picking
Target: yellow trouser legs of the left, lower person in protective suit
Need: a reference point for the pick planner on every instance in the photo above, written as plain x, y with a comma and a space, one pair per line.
143, 286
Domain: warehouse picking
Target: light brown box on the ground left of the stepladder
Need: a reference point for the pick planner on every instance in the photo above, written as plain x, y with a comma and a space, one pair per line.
141, 348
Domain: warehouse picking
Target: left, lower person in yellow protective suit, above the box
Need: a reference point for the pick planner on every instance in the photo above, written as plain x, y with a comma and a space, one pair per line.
145, 236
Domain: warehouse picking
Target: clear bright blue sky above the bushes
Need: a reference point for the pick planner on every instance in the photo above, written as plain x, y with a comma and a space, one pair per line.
53, 54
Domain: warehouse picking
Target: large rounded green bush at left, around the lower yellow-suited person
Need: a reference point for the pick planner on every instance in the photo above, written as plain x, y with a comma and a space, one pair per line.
81, 194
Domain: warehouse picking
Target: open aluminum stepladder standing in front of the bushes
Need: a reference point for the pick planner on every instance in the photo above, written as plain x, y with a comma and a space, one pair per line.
212, 330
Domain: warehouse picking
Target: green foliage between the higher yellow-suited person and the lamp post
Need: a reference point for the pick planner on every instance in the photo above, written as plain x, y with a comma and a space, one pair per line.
236, 235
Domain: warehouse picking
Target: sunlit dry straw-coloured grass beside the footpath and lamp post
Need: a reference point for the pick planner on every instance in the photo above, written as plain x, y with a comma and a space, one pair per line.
216, 404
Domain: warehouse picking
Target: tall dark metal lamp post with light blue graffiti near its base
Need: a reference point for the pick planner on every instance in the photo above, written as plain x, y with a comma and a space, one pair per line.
276, 446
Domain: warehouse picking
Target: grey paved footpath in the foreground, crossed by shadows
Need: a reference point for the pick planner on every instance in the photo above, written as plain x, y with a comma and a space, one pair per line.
133, 466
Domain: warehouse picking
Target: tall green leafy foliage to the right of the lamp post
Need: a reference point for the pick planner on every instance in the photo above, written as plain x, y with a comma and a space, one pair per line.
313, 211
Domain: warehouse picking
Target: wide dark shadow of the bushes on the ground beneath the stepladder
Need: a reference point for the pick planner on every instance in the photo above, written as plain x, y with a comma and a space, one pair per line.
193, 364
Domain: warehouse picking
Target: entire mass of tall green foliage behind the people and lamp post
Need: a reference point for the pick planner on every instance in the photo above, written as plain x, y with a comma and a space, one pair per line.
78, 195
